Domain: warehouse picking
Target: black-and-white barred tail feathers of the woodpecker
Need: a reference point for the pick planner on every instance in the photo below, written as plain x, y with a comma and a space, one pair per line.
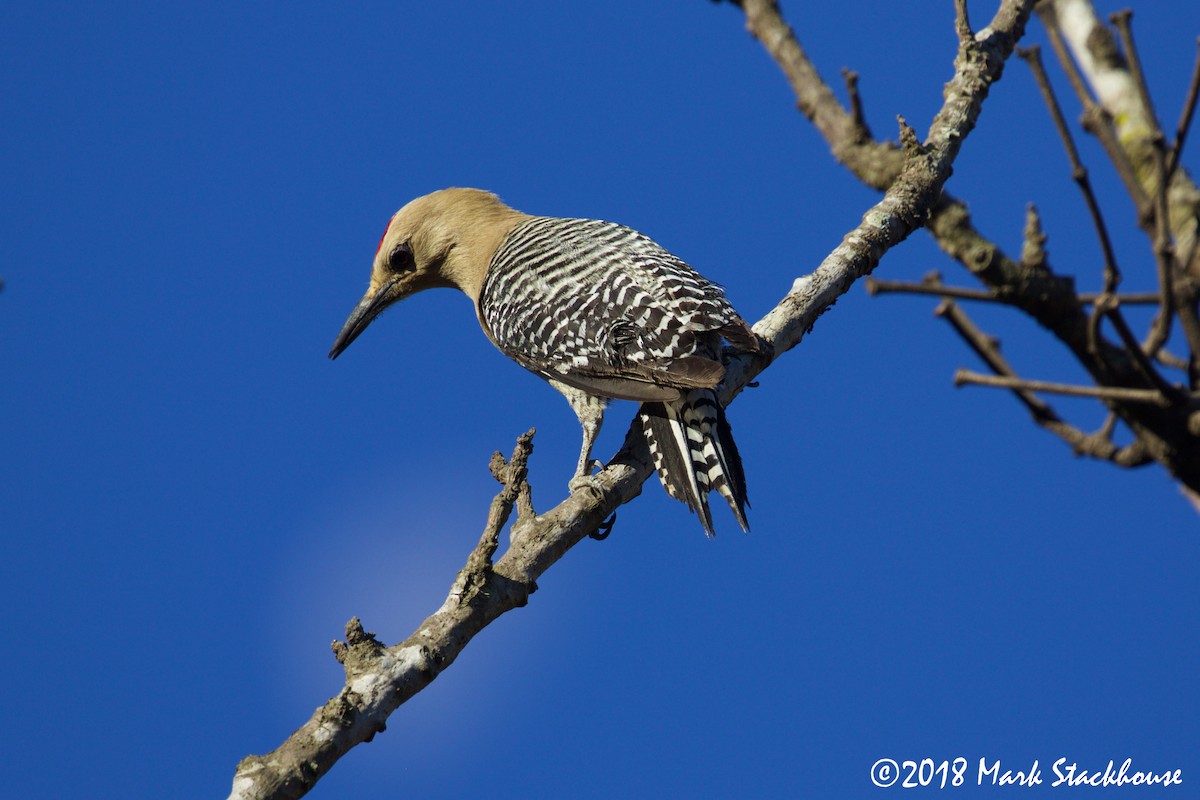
694, 453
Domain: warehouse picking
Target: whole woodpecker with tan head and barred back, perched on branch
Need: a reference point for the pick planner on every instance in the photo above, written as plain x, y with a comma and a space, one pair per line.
598, 310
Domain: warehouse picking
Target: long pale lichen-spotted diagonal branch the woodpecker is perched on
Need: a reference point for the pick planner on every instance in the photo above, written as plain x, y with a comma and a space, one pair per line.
380, 678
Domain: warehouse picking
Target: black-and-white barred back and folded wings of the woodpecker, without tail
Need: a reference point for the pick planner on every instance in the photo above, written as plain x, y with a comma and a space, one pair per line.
604, 309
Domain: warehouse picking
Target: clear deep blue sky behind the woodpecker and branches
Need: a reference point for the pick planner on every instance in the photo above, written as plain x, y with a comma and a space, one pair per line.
194, 500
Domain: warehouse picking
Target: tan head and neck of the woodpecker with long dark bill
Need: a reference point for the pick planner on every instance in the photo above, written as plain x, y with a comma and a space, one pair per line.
445, 239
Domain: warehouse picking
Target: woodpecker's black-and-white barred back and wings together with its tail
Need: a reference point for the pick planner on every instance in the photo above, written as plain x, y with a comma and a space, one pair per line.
607, 310
